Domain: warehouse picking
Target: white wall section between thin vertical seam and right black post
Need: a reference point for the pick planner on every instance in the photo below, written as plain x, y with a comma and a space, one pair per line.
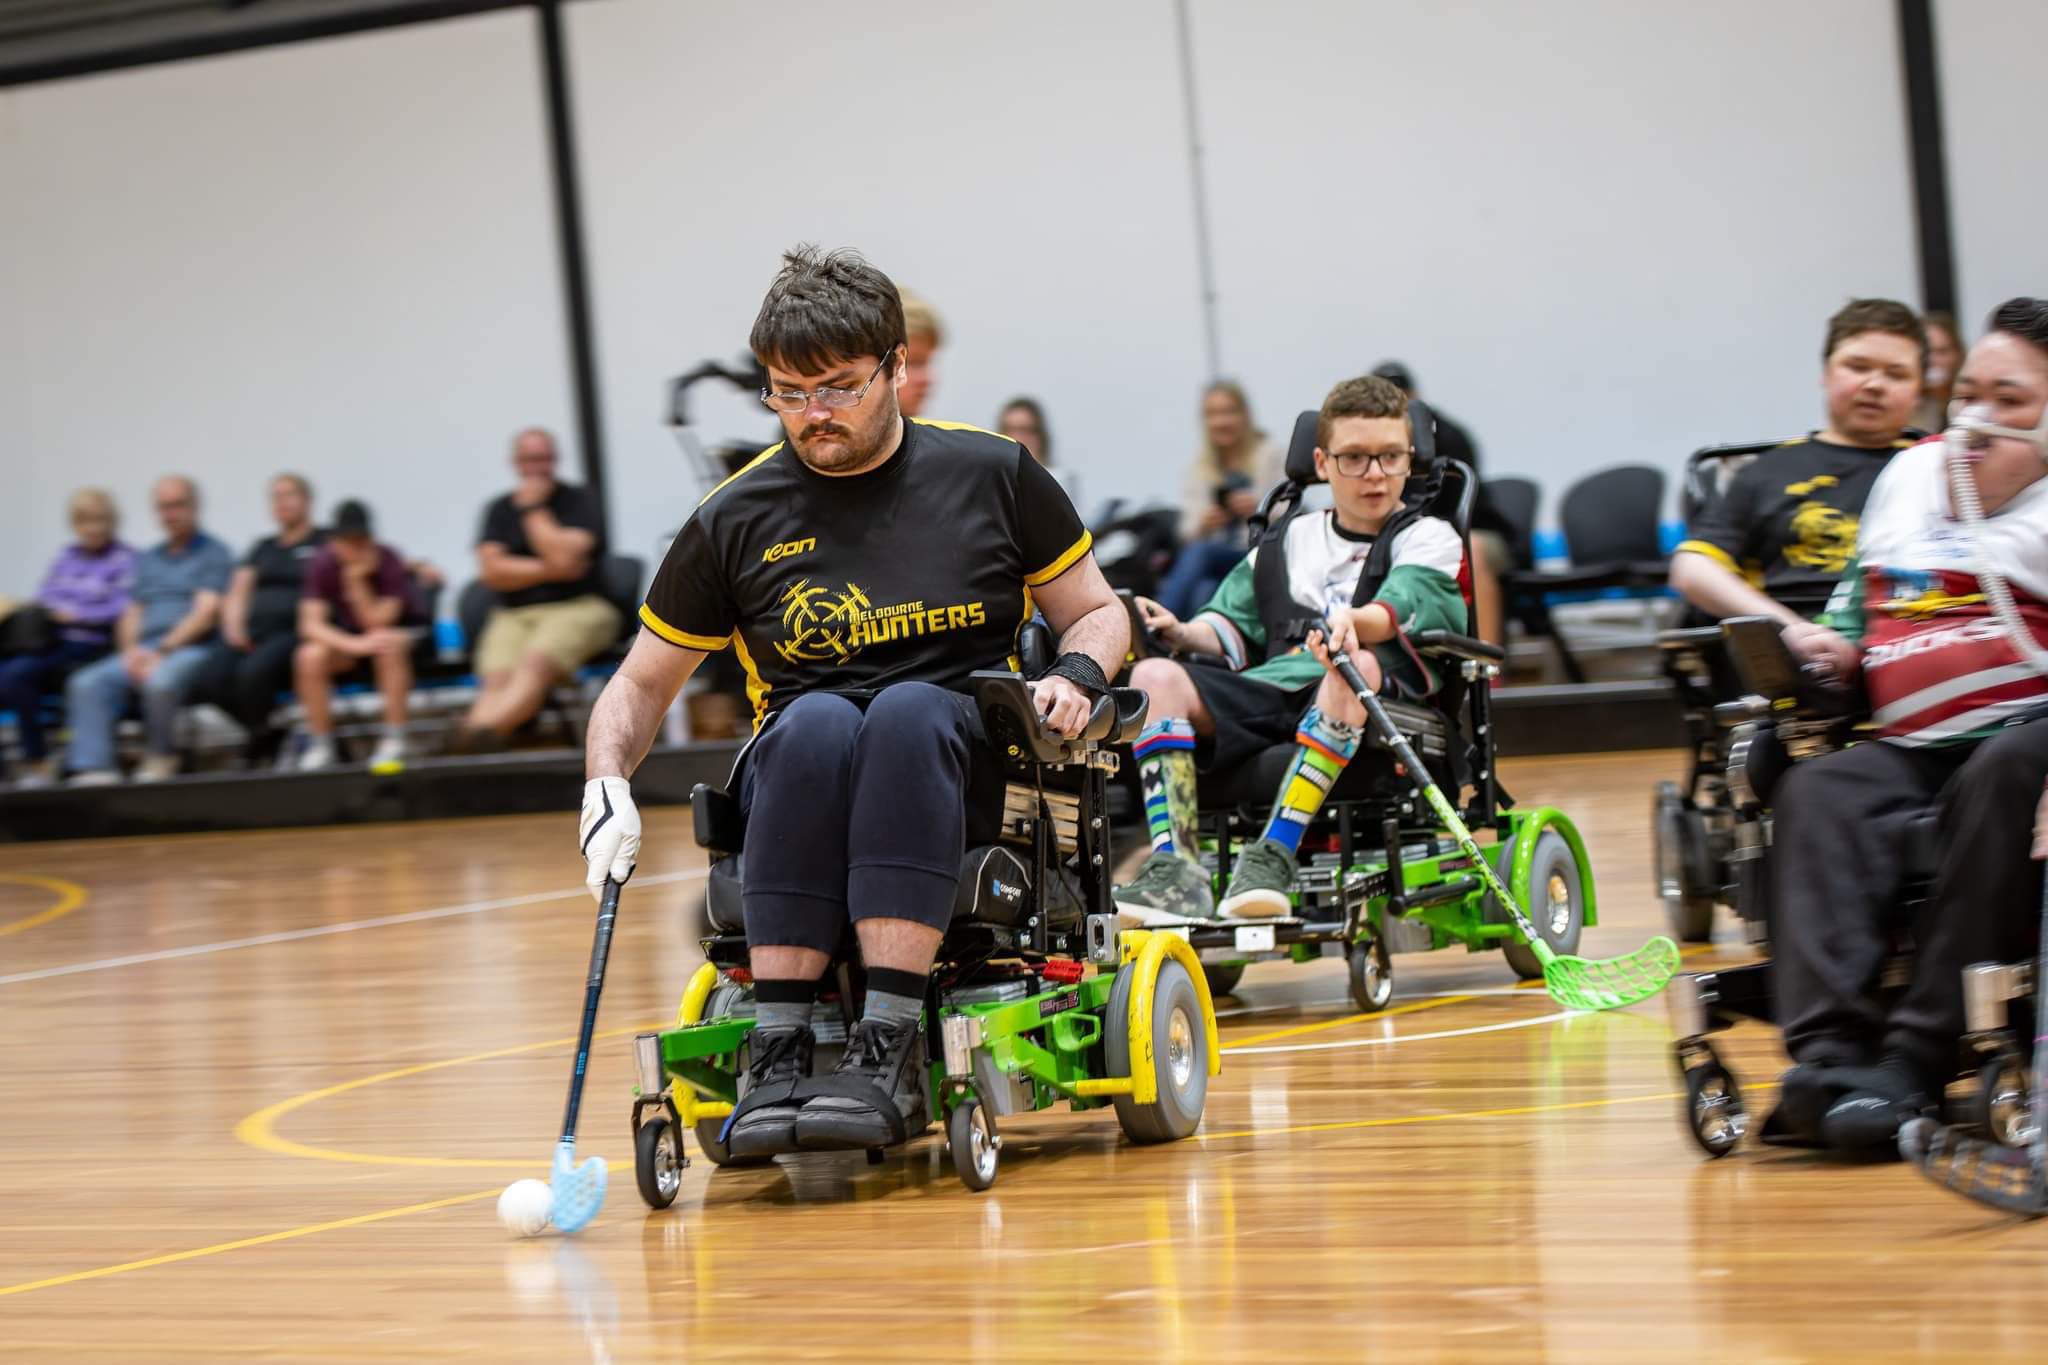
1601, 232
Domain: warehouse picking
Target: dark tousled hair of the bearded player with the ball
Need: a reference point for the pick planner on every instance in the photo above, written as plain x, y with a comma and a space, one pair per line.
826, 308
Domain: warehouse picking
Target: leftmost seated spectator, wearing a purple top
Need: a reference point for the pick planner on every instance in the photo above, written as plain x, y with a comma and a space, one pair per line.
69, 627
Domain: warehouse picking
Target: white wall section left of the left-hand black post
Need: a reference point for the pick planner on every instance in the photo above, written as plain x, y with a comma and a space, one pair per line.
331, 257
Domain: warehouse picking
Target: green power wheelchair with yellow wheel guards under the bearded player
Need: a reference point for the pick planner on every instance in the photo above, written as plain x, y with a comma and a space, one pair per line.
1091, 1016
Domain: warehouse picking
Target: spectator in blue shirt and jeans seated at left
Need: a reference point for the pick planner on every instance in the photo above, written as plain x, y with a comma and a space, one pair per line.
161, 646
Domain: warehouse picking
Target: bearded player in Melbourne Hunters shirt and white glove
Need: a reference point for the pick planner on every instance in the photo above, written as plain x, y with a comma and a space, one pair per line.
861, 572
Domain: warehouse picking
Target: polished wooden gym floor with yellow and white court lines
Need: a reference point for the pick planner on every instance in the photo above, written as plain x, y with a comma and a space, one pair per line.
261, 1094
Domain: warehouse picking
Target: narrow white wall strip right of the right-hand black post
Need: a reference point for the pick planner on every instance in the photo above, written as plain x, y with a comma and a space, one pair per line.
1992, 97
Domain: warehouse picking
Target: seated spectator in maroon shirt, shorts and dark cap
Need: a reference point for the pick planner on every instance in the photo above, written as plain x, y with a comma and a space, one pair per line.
357, 597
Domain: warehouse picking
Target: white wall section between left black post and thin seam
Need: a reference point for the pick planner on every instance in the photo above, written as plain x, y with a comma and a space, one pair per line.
1023, 167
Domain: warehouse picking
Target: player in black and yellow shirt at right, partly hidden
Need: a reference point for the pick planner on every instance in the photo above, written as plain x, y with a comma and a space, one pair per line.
1783, 531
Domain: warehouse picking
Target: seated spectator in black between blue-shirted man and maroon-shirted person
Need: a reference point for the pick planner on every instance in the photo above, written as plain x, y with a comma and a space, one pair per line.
261, 619
